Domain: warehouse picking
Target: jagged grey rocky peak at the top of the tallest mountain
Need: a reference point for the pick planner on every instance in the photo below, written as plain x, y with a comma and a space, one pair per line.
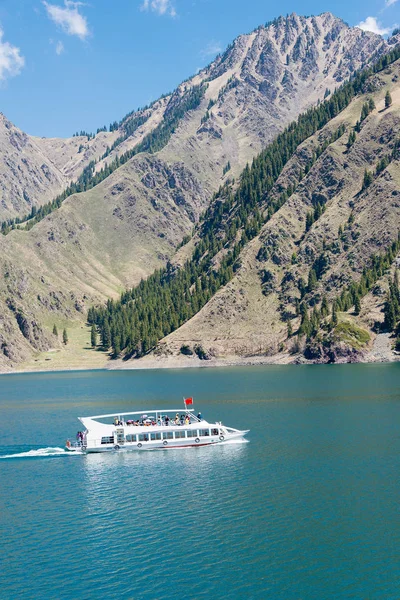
308, 46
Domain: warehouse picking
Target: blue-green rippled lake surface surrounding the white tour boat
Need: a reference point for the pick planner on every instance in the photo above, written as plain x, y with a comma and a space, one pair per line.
308, 509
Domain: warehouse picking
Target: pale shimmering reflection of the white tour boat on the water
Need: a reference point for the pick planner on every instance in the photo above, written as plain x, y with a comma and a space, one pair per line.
161, 478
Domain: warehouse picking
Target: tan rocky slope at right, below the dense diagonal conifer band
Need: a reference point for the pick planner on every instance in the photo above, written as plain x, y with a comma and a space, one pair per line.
249, 315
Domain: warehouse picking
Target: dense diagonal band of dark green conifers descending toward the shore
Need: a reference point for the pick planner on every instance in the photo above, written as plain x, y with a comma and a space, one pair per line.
169, 297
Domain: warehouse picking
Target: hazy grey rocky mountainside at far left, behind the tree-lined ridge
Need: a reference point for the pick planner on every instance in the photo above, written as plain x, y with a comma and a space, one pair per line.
36, 170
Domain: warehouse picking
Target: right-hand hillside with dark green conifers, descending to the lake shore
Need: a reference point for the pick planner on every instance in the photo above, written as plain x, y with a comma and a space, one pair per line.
309, 305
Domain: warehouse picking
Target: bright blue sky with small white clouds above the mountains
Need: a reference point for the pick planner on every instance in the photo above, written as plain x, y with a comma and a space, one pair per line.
67, 66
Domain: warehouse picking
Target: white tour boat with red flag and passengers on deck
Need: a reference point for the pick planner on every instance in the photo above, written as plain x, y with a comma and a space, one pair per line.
159, 429
